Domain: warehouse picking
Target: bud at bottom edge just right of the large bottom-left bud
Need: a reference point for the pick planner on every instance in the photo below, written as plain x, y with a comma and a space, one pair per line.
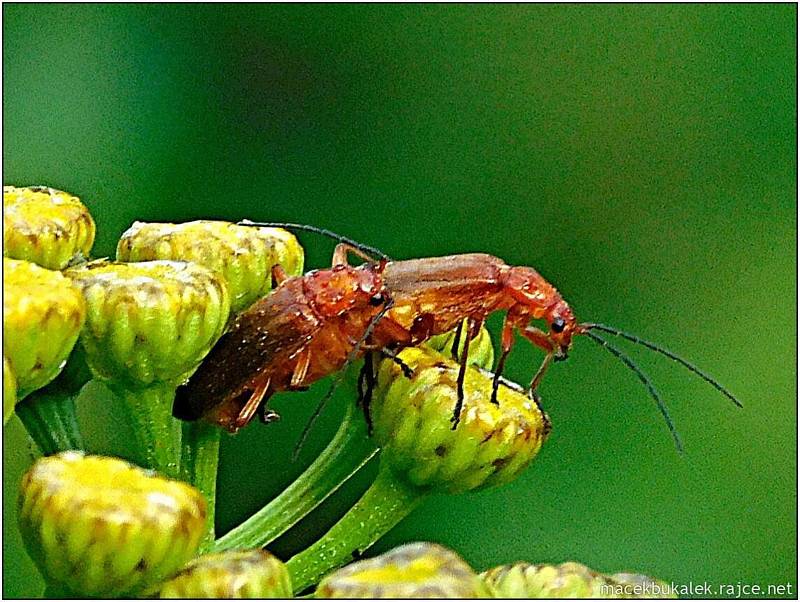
235, 574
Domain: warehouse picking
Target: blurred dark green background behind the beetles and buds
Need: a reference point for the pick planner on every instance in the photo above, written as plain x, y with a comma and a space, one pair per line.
643, 158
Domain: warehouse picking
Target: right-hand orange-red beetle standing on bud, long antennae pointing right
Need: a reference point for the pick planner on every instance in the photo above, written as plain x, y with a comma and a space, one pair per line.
434, 295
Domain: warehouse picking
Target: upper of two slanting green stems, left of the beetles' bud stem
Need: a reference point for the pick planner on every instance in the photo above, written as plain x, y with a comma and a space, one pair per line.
347, 452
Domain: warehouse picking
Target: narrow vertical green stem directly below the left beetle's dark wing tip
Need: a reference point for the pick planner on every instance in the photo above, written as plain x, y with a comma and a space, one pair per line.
199, 459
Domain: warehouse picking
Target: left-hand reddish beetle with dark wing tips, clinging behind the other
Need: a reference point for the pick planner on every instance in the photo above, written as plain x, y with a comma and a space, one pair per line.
306, 329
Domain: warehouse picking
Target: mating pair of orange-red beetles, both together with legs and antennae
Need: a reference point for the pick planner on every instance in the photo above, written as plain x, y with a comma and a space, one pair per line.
313, 326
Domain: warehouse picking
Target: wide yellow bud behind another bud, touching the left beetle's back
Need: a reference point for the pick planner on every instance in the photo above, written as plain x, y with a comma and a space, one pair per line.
243, 255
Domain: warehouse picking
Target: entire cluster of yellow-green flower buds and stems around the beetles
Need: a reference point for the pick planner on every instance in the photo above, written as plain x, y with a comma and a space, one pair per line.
99, 526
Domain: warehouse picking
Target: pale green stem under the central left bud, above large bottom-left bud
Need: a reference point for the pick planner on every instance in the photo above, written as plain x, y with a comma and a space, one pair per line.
158, 434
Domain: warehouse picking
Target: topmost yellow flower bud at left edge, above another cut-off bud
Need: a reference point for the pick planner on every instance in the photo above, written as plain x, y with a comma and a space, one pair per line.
45, 226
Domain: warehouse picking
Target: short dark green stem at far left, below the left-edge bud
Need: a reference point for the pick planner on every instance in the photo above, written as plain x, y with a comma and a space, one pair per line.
49, 418
